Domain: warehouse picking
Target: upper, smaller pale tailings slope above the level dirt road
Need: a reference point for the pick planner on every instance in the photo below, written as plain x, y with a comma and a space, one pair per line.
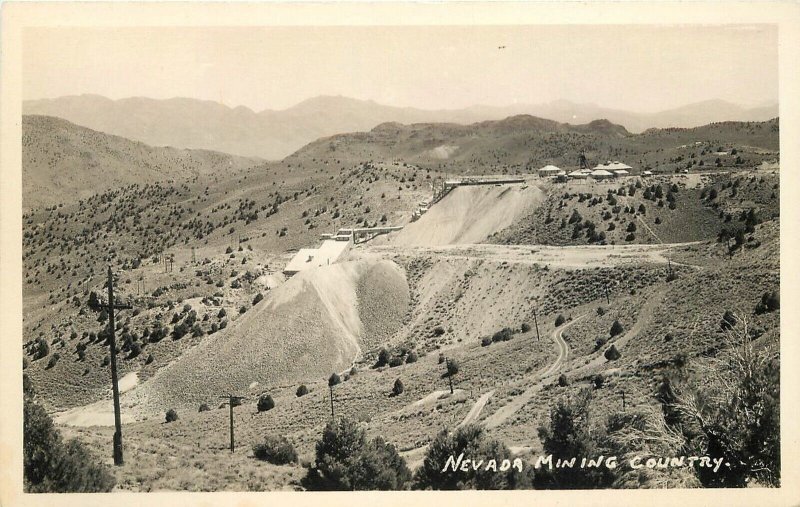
470, 214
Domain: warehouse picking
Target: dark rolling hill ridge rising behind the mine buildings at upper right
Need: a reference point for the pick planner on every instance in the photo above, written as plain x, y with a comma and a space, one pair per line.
522, 144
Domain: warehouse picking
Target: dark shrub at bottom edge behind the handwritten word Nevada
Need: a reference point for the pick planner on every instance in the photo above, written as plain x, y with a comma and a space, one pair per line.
472, 441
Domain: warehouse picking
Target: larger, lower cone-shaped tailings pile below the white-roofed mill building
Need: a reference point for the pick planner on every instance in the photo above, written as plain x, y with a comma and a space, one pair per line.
314, 324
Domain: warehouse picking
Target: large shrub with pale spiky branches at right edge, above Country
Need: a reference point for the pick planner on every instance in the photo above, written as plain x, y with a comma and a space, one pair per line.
738, 399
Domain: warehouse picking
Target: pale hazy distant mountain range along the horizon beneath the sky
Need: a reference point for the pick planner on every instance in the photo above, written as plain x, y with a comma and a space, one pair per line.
198, 124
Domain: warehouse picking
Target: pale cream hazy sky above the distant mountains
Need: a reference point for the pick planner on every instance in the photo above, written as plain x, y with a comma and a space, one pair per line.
637, 68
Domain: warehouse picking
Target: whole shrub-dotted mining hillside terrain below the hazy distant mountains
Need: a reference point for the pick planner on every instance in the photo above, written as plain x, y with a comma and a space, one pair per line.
521, 285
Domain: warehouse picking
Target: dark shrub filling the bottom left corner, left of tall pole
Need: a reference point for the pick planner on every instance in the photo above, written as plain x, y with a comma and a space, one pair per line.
52, 466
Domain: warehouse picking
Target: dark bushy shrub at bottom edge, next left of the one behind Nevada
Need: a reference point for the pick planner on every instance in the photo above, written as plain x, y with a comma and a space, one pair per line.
346, 461
